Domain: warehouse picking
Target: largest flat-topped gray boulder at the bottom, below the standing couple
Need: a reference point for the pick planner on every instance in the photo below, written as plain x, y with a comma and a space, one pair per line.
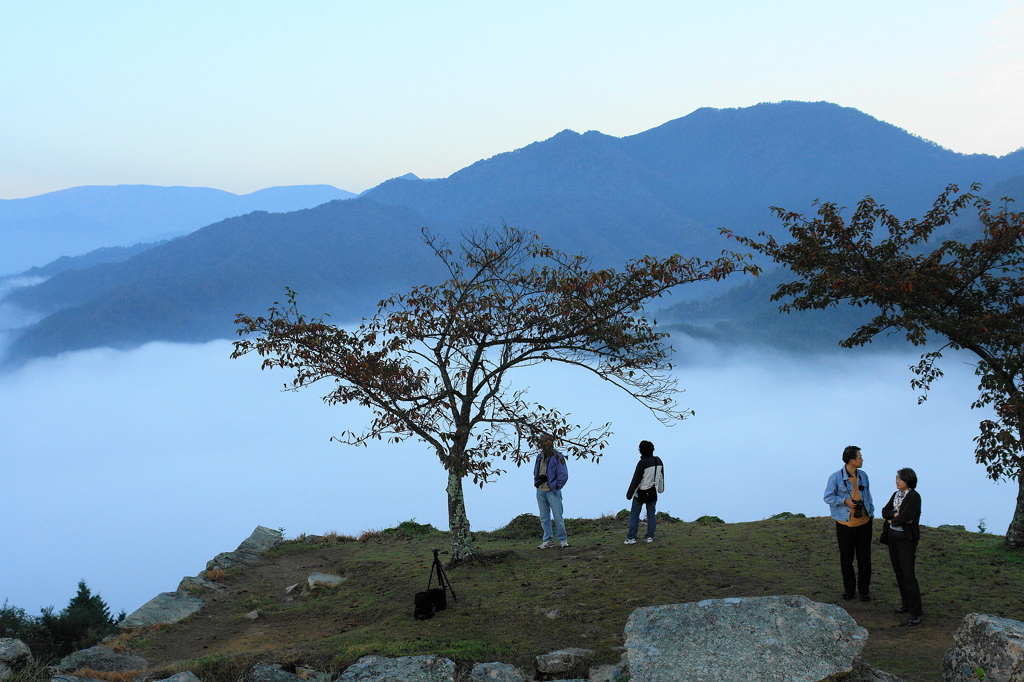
786, 638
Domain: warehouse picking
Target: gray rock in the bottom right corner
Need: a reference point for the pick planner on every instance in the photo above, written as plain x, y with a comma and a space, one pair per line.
994, 645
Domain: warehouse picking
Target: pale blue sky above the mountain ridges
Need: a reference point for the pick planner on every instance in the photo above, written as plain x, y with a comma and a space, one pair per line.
243, 96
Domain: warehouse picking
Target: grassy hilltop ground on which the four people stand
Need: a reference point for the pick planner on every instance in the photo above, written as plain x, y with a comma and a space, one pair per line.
519, 602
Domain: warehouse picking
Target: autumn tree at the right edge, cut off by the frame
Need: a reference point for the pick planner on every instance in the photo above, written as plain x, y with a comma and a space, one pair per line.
967, 296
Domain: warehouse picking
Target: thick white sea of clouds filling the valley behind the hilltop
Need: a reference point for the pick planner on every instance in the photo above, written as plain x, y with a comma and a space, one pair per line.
132, 470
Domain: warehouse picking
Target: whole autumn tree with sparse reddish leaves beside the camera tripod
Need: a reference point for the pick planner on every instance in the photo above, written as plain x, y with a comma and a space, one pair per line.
435, 364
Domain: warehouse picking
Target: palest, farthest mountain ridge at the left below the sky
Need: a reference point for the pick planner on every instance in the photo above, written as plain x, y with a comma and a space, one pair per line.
71, 223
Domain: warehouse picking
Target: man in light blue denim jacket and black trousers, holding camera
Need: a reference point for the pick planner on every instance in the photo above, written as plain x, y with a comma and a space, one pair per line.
848, 494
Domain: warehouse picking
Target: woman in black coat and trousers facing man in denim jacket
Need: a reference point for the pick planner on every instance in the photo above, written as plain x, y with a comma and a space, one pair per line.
903, 521
